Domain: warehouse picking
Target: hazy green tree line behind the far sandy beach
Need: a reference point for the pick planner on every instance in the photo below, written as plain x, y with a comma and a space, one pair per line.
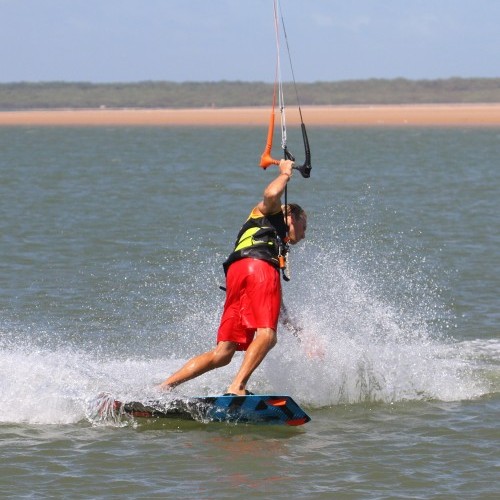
149, 94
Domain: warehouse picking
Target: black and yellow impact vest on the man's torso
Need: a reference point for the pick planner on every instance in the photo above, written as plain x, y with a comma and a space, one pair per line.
261, 237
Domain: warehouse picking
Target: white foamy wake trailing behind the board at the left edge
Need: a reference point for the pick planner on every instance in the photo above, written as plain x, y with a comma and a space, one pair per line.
40, 386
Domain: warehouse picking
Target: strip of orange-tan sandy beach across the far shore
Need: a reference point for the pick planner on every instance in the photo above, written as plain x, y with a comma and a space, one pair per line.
391, 115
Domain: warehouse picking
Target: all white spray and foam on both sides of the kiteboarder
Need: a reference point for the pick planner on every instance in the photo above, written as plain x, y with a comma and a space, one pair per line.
372, 332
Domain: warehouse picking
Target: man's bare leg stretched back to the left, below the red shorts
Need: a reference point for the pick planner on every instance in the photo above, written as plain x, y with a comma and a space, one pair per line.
220, 356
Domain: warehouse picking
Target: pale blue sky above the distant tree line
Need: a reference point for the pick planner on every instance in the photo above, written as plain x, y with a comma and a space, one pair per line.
213, 40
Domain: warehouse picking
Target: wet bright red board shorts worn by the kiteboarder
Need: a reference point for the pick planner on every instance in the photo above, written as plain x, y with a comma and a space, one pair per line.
253, 300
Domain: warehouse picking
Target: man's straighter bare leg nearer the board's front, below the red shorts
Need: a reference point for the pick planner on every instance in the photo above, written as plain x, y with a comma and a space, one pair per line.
265, 339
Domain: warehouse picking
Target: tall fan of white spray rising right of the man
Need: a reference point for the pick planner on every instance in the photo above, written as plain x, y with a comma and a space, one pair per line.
373, 330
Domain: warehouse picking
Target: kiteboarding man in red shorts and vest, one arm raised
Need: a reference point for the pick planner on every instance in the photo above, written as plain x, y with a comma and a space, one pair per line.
253, 288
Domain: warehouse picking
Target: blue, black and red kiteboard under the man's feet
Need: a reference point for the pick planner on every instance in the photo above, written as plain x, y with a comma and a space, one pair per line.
254, 409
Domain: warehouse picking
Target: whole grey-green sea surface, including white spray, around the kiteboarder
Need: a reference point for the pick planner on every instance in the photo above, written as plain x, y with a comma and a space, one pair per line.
111, 244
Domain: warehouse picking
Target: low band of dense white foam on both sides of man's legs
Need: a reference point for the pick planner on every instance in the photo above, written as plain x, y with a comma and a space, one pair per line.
56, 387
